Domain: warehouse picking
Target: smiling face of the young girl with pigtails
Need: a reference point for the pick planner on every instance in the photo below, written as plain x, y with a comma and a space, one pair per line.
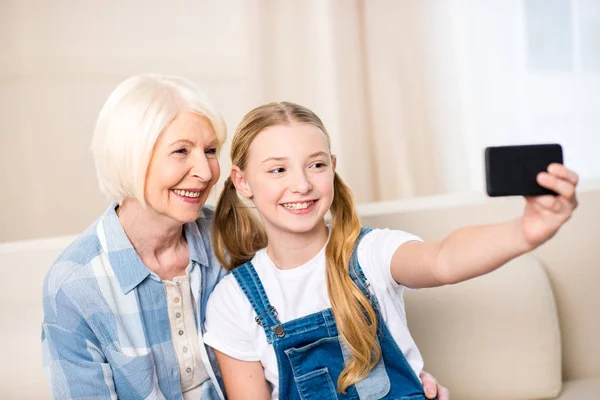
289, 177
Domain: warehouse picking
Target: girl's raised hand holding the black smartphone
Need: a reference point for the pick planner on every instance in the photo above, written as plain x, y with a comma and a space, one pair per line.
544, 215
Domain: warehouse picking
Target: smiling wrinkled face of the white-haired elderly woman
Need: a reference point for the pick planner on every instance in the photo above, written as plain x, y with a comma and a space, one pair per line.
183, 168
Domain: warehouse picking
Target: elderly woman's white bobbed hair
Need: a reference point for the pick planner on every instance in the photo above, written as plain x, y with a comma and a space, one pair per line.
130, 123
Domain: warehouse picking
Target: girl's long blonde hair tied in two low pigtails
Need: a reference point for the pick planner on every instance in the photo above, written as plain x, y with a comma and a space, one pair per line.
238, 234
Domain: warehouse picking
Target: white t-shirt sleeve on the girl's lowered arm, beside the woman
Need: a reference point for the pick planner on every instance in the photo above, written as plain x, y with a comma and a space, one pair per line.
229, 317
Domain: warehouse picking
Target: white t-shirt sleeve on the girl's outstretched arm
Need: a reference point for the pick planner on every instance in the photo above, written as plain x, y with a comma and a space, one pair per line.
375, 252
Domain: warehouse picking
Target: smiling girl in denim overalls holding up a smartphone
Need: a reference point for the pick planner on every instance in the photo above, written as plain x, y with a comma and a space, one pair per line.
316, 311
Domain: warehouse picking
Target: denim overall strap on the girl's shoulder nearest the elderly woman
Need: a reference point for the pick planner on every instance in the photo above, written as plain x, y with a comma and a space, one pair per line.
266, 314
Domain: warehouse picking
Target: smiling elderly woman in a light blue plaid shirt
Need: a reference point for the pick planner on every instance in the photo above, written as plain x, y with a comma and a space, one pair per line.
124, 304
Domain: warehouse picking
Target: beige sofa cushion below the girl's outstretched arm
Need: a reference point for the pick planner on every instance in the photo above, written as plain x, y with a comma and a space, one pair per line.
493, 337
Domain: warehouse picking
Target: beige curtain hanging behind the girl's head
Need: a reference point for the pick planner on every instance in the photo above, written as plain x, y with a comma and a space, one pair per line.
359, 65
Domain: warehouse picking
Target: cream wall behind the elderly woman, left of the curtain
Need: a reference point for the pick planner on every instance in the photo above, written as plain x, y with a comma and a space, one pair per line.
58, 63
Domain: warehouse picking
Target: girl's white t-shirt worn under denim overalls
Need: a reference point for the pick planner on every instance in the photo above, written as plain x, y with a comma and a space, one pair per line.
301, 291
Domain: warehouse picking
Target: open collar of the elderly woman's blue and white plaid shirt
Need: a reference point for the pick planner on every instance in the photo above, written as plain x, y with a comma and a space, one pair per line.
127, 265
